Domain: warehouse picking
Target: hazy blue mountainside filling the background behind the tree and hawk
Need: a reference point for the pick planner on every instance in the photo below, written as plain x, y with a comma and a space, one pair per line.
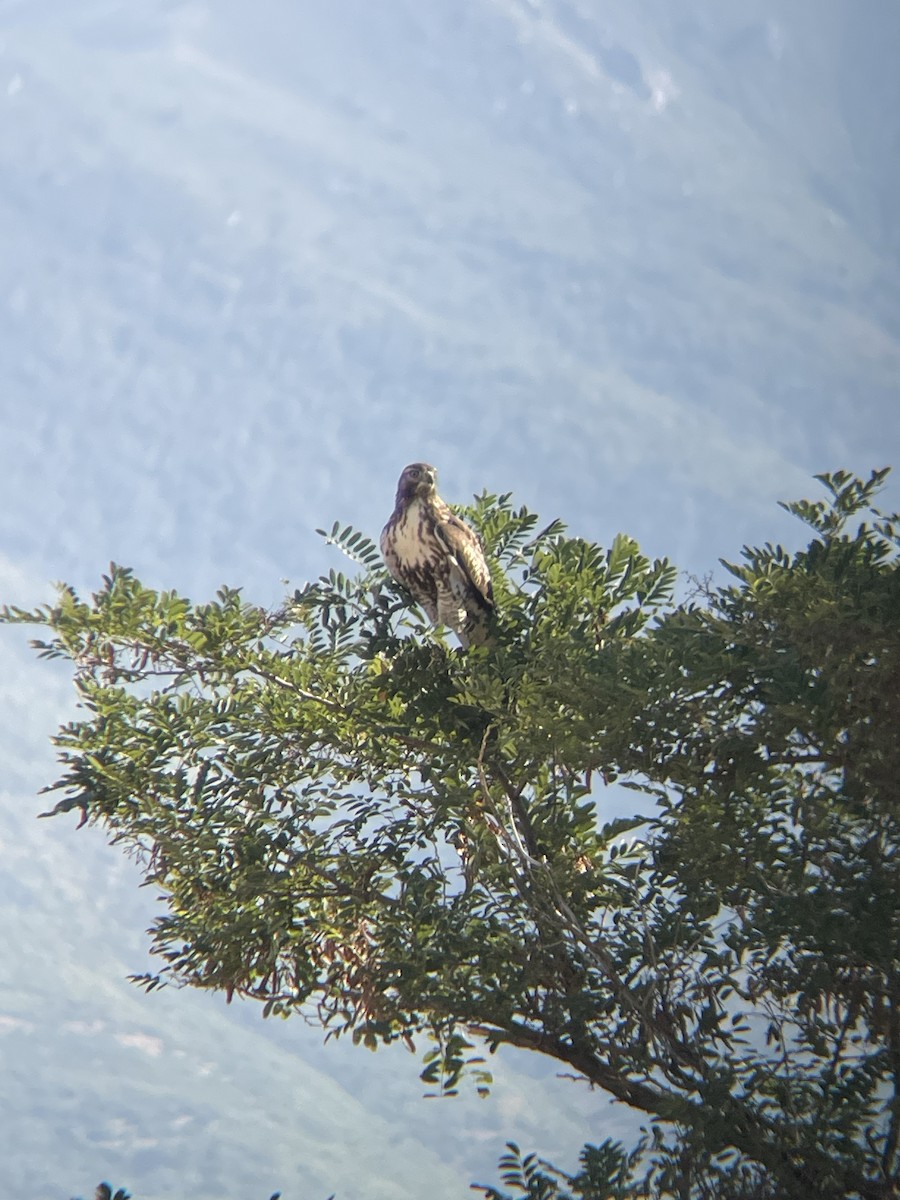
635, 265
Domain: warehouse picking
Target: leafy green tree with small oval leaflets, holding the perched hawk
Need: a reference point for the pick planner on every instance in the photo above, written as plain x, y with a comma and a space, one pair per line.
351, 819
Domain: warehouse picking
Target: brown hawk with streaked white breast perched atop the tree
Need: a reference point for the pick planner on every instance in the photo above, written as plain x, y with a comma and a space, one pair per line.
439, 557
